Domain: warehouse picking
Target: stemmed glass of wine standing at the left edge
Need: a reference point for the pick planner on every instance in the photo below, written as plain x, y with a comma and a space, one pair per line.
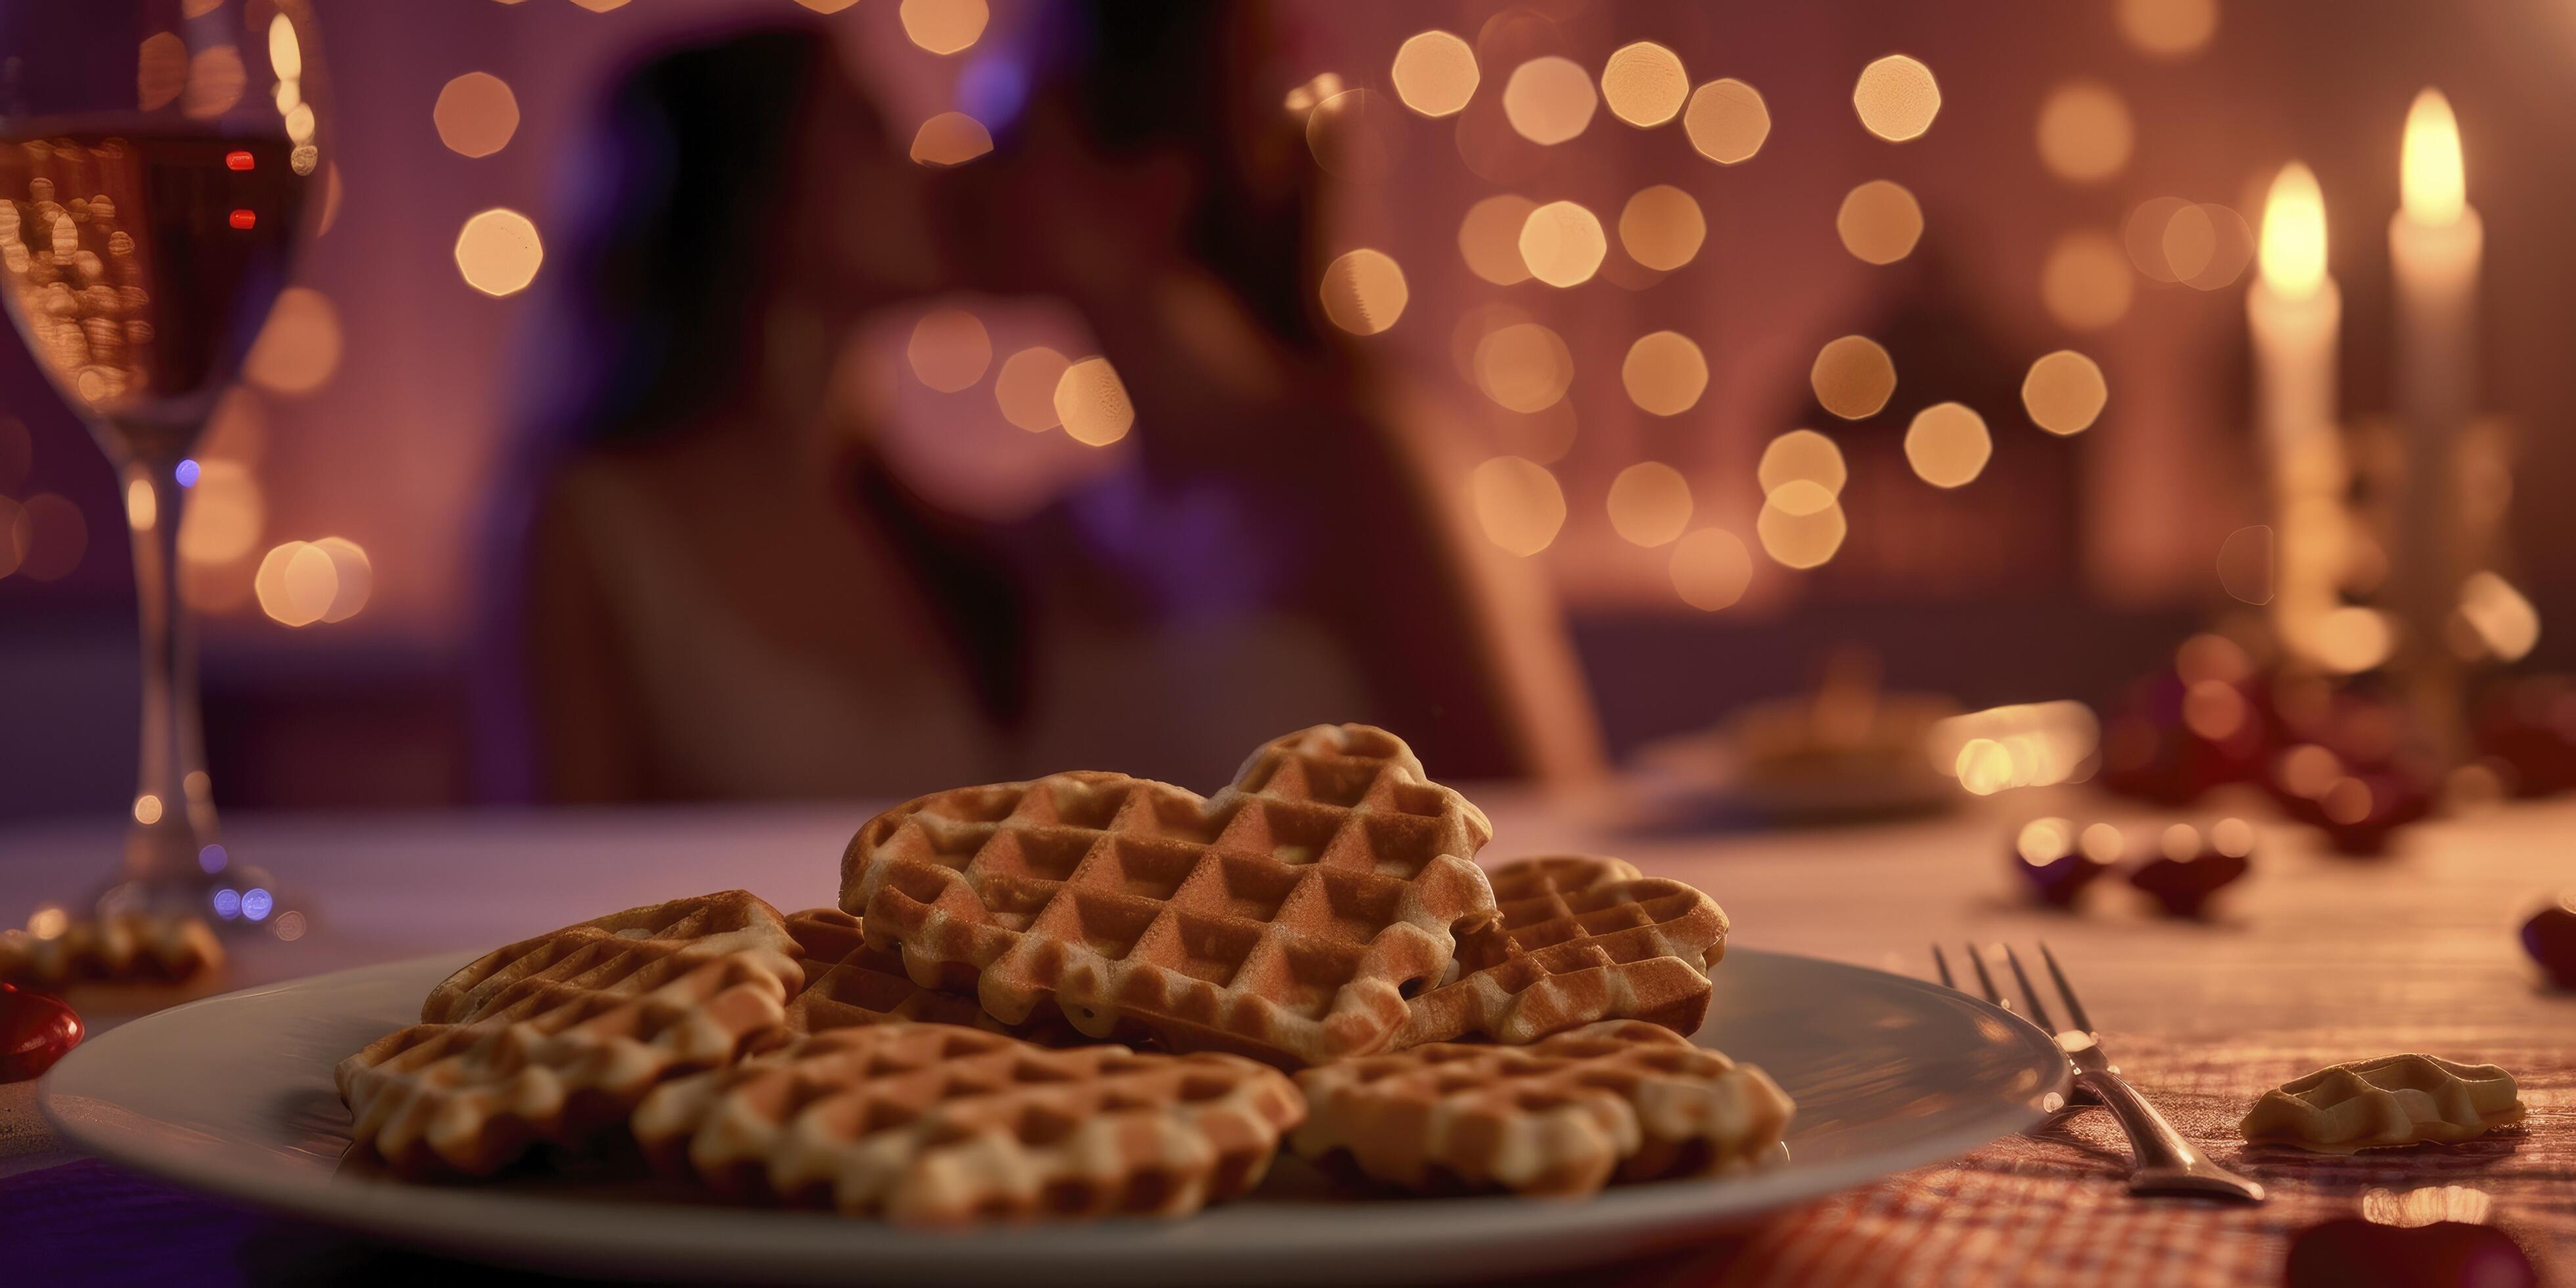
161, 161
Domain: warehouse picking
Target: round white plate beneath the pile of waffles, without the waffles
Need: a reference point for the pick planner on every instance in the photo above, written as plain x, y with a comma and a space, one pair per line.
233, 1096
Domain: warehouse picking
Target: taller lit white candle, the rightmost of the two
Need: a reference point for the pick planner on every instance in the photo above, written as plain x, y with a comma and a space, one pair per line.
2436, 243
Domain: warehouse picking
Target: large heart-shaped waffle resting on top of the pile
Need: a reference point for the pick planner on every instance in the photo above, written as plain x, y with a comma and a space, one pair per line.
1287, 918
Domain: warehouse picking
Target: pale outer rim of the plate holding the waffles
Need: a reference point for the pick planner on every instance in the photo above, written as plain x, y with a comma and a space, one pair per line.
532, 1230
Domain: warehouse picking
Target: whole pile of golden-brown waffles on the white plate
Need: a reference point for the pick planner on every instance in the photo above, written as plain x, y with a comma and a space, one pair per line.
1088, 993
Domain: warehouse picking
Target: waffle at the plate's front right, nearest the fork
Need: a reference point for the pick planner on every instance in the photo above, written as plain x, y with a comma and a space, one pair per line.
1560, 1117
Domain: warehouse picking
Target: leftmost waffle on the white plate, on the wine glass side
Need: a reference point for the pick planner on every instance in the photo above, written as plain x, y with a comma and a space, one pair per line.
565, 1034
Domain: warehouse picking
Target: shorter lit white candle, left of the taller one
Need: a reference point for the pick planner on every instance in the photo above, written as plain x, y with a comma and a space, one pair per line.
2297, 316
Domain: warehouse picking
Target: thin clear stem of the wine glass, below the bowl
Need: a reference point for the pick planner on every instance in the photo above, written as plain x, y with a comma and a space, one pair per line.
174, 802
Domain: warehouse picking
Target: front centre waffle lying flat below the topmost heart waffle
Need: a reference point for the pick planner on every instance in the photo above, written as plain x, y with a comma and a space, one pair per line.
942, 1127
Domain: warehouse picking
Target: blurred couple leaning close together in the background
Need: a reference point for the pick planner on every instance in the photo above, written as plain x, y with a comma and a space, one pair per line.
715, 586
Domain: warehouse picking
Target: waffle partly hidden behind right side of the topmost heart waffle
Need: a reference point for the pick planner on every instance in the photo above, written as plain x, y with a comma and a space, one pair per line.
1578, 939
